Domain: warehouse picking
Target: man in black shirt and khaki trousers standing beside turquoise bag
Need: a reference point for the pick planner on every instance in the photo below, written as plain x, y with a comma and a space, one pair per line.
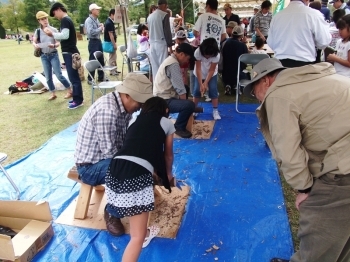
110, 36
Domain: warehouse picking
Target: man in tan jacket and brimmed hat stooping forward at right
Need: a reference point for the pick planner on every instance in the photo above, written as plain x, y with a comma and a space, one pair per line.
311, 145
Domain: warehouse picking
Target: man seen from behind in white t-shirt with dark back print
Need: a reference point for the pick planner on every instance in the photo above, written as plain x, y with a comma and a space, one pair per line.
210, 24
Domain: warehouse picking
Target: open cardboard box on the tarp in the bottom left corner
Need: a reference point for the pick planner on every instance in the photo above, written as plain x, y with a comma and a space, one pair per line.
32, 222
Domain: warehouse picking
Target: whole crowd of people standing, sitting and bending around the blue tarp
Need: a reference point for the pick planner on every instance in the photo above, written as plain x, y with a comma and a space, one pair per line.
311, 143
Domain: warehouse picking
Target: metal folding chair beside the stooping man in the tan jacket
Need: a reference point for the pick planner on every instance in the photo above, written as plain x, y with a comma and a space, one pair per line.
248, 59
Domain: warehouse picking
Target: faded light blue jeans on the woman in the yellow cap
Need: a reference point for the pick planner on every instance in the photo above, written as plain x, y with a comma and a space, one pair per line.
51, 61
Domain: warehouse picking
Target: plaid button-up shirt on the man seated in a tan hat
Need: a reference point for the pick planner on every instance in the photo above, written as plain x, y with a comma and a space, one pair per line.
102, 130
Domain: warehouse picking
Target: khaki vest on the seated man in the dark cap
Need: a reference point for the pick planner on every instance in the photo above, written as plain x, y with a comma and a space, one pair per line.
162, 84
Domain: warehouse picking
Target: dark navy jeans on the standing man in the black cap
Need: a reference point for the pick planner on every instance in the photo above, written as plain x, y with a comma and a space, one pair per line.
73, 78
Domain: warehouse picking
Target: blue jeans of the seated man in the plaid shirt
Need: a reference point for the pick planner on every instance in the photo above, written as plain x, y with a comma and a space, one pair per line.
94, 174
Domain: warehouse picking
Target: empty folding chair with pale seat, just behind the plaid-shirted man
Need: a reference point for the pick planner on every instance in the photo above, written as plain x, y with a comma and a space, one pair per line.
91, 66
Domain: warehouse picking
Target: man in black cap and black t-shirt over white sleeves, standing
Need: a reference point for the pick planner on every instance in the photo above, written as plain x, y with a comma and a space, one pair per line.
68, 38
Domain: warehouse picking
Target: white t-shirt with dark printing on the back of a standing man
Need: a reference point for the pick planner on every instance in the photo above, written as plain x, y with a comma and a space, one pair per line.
210, 25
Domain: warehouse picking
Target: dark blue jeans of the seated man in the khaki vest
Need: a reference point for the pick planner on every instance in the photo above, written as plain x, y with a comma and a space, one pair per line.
184, 107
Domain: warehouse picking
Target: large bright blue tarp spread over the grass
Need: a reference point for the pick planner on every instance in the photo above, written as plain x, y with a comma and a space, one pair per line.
236, 198
